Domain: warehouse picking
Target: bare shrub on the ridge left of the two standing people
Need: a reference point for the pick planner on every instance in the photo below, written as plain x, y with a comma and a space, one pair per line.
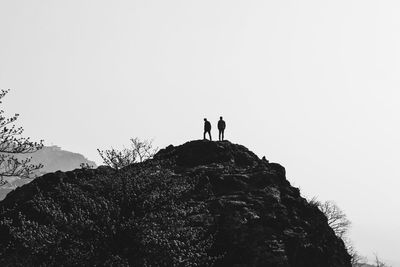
139, 151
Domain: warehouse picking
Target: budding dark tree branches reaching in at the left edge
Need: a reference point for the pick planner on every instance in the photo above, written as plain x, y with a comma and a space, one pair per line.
14, 147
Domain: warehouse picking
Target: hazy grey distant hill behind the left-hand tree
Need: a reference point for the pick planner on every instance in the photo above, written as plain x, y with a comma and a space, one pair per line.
54, 159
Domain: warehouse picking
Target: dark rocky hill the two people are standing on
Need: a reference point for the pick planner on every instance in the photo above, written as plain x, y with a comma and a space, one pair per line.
200, 204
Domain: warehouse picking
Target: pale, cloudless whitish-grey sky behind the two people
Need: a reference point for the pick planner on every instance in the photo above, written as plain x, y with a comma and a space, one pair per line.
313, 85
